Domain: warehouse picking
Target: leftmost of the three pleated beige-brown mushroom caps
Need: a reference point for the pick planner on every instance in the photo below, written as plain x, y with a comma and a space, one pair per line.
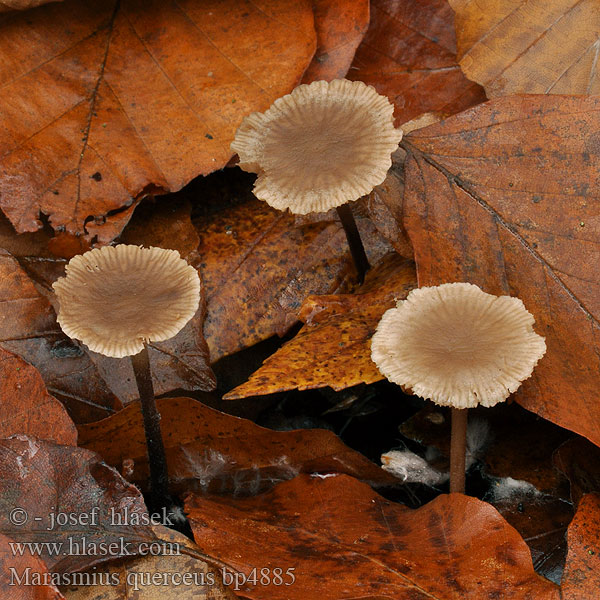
116, 298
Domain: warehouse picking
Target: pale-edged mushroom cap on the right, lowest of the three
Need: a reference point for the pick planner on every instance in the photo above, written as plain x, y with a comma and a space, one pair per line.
456, 345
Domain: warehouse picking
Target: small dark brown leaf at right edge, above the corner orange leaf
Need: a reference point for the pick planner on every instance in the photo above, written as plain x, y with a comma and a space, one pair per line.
579, 460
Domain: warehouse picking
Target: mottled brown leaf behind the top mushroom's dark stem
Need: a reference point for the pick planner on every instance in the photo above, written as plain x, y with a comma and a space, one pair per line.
259, 264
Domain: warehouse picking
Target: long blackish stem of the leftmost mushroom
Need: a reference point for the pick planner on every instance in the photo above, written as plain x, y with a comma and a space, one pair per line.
159, 477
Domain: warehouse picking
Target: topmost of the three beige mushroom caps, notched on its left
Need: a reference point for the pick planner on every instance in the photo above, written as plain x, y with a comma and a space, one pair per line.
325, 144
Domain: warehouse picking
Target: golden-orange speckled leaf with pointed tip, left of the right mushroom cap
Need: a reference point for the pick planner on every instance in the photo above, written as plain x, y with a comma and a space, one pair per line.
333, 348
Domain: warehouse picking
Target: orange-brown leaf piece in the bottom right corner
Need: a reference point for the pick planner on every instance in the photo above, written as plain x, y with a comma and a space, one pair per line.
581, 580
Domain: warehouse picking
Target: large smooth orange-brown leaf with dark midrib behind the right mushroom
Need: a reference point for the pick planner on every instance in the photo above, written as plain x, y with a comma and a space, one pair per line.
505, 196
